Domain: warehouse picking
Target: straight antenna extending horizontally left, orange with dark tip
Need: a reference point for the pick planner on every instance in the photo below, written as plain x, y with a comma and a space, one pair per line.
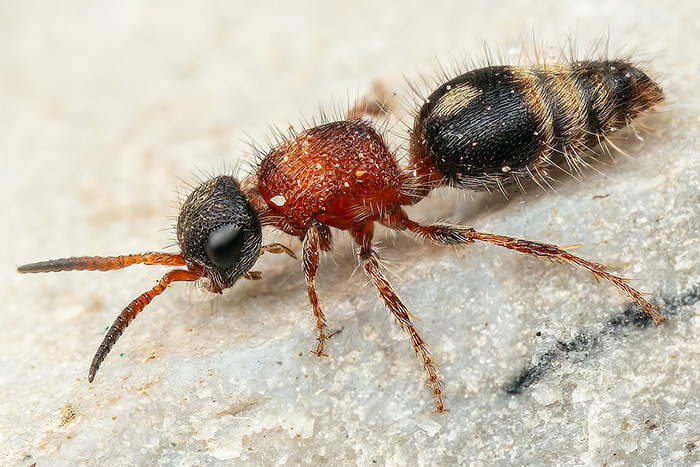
102, 263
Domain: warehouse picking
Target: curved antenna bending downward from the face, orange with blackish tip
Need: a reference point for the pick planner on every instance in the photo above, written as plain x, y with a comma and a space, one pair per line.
132, 310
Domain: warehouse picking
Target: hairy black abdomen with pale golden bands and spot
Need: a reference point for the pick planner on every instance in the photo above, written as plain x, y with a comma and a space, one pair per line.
489, 126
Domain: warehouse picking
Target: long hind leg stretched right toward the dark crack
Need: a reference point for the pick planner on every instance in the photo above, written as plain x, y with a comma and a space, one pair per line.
446, 234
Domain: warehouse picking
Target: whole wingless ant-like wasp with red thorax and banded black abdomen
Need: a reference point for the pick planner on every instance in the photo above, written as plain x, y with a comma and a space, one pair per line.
482, 129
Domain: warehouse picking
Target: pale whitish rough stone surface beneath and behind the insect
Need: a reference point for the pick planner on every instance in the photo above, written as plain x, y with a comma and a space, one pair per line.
103, 106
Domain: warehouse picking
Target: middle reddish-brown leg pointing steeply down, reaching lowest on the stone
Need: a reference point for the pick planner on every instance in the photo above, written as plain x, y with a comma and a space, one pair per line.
369, 259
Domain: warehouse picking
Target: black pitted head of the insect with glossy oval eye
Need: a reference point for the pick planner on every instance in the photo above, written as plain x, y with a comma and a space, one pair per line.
219, 230
